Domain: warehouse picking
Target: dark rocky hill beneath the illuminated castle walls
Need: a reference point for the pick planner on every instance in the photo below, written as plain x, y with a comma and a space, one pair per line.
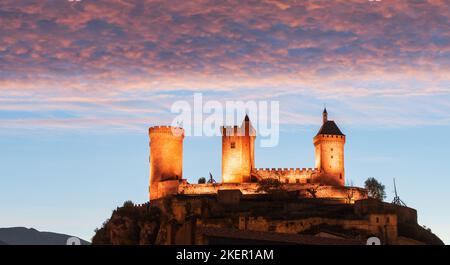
231, 218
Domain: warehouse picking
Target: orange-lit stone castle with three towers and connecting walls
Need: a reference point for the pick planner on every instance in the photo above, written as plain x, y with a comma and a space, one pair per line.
238, 164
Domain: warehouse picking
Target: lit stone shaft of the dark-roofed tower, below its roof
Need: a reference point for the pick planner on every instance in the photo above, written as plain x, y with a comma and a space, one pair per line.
329, 155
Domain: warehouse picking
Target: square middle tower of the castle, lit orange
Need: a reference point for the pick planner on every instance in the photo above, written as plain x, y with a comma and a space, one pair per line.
238, 152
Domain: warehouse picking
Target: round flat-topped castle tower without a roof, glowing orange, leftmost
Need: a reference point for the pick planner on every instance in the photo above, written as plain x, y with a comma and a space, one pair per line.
166, 160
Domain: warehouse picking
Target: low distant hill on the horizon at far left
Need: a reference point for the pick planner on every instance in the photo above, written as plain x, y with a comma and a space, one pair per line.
31, 236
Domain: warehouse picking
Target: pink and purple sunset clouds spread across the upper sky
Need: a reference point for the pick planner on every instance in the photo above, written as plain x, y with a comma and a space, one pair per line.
118, 60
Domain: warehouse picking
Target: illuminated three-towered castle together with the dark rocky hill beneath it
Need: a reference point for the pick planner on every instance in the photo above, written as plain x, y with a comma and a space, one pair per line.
308, 206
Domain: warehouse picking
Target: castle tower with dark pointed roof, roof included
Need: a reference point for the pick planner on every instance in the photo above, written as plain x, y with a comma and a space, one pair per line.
329, 150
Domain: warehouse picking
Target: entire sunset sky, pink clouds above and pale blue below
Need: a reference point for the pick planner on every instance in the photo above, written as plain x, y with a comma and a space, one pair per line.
81, 82
